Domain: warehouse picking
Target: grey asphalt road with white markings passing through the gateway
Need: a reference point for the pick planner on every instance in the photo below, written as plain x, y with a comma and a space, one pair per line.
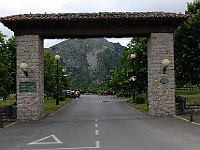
101, 122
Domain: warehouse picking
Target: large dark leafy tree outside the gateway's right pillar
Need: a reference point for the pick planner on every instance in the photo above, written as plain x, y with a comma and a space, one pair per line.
187, 48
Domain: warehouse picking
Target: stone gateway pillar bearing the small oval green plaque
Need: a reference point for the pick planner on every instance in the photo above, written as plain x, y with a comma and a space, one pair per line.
161, 94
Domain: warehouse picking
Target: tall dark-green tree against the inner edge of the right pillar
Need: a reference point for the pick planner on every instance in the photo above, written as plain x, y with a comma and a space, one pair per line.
137, 46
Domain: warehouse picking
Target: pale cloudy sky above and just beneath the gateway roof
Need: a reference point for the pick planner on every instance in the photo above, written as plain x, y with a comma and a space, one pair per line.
14, 7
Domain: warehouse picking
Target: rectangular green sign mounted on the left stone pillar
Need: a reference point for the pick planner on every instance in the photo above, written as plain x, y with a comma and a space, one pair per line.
27, 87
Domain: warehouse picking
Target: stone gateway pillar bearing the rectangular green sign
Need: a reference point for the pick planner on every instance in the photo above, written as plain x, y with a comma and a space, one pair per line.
30, 90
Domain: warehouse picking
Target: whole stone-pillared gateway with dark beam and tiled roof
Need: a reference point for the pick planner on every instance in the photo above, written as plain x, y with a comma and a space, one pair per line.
31, 29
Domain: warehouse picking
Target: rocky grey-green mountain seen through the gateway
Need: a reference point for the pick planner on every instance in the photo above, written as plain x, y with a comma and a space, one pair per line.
88, 61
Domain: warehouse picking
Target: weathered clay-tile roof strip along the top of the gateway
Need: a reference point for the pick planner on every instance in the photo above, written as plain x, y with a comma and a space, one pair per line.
93, 16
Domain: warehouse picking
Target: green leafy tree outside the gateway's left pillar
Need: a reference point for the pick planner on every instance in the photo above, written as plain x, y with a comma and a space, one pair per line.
7, 66
